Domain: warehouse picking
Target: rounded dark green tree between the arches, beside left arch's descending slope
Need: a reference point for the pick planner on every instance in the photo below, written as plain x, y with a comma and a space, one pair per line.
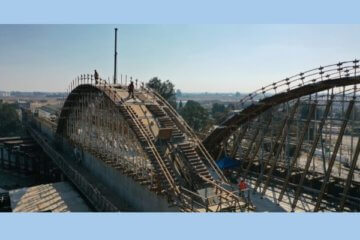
195, 115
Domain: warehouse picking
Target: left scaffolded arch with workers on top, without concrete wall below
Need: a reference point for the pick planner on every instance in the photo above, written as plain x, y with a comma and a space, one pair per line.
145, 139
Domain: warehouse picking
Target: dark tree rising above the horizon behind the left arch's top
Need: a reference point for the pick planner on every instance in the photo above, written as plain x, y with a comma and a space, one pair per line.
165, 89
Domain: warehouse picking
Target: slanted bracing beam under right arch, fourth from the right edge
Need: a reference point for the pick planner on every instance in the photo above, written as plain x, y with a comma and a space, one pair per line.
297, 150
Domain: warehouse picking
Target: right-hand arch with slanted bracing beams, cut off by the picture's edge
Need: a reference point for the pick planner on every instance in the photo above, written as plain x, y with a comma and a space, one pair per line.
298, 139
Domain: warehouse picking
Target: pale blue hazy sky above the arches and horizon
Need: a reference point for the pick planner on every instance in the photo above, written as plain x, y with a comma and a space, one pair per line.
196, 58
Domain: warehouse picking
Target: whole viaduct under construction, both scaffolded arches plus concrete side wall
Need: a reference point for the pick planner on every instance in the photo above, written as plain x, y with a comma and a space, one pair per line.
296, 140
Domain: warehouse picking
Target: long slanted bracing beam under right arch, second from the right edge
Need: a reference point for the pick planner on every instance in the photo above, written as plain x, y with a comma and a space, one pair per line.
333, 156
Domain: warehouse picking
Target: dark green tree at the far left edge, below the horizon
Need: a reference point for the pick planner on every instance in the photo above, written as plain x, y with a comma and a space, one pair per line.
10, 124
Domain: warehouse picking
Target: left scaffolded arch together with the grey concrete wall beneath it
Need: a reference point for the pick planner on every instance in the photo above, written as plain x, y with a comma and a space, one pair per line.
133, 154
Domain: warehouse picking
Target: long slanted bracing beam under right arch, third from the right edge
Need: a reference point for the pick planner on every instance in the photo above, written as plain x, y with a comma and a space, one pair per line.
312, 151
